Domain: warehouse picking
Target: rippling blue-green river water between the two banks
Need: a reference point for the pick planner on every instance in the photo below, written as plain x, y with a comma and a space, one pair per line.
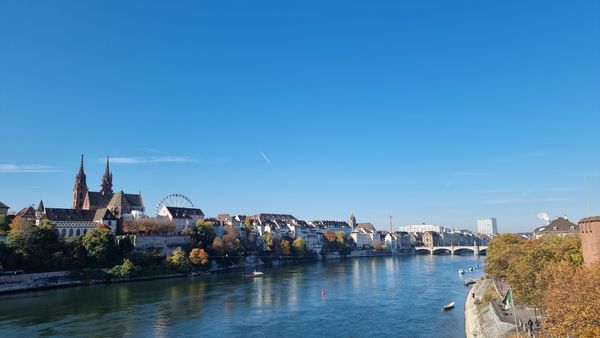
368, 297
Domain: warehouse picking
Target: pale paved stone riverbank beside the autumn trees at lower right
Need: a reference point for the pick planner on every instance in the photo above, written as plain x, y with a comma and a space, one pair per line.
482, 319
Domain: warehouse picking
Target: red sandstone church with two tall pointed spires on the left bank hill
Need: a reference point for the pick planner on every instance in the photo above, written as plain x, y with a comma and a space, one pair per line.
122, 205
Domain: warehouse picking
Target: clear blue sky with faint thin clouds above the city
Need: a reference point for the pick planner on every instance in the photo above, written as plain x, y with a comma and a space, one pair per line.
435, 111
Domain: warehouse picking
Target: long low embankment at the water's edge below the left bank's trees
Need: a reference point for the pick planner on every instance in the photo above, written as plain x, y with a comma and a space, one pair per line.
64, 279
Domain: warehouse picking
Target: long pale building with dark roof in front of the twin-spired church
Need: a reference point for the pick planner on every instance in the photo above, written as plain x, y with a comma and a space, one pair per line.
75, 222
